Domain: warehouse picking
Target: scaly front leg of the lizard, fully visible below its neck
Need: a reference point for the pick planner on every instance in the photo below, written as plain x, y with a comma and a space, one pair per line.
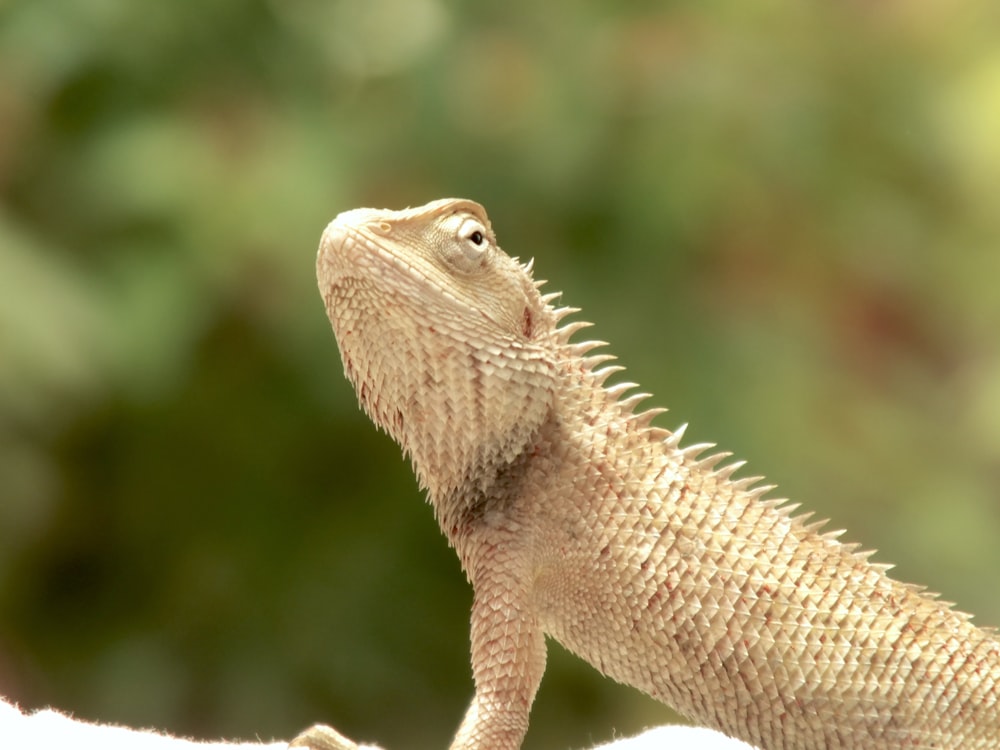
508, 654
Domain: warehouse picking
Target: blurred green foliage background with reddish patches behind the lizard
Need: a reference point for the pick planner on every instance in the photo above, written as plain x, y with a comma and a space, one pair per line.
784, 216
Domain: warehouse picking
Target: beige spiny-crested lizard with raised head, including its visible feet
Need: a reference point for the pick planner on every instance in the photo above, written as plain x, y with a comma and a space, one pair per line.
574, 517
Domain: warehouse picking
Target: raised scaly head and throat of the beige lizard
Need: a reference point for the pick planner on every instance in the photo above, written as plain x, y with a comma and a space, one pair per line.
446, 339
